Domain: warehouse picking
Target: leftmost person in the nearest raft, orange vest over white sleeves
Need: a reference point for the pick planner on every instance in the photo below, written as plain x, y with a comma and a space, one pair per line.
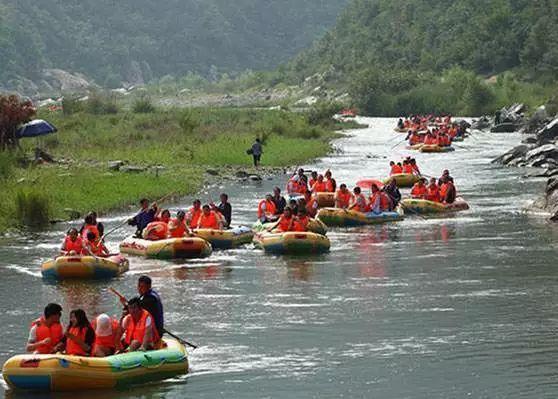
46, 333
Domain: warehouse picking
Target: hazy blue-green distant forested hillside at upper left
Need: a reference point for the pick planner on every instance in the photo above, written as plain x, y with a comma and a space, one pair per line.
120, 40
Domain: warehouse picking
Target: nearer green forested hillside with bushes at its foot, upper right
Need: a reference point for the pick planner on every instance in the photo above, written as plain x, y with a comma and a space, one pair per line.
402, 55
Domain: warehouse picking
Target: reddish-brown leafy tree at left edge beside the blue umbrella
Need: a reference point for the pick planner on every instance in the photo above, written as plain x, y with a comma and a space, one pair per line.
14, 111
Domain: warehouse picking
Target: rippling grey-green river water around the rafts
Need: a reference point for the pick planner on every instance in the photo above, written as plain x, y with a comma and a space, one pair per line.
440, 308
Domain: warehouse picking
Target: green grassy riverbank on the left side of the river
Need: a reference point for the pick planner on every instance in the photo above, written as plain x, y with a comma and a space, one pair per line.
170, 148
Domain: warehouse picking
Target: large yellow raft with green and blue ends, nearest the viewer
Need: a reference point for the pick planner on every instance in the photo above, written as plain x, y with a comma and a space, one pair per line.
75, 373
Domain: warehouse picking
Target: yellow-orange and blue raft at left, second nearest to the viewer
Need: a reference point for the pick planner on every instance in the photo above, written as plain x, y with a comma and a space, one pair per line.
84, 267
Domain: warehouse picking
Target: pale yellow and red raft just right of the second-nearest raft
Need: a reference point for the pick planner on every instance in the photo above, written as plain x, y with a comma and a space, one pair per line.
171, 248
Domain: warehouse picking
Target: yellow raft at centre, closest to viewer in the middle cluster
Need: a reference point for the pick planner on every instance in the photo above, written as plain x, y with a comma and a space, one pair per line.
292, 243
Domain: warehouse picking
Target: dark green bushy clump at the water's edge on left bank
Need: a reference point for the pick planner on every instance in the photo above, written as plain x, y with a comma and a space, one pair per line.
32, 208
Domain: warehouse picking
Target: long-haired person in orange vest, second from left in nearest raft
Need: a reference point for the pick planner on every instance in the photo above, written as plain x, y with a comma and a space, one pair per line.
79, 336
